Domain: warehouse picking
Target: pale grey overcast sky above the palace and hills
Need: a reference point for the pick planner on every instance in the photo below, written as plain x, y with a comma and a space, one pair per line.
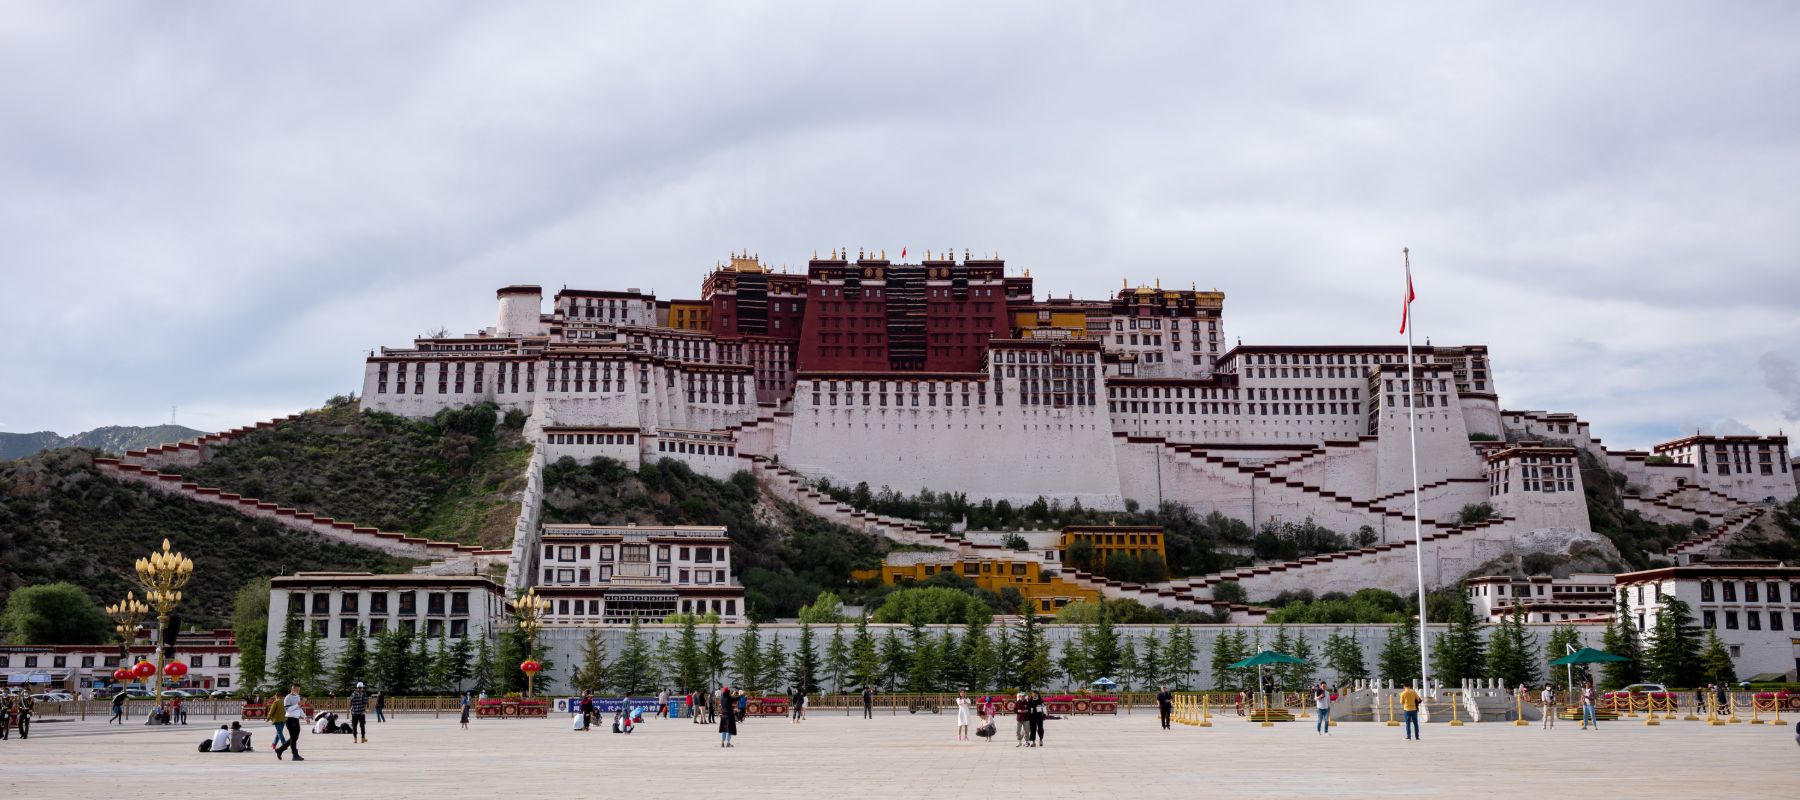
224, 206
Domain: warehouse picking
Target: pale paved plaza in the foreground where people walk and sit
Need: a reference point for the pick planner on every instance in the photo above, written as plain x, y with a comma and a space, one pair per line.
904, 756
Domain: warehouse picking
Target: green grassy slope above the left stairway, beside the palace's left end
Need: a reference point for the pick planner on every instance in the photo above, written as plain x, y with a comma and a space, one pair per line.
449, 478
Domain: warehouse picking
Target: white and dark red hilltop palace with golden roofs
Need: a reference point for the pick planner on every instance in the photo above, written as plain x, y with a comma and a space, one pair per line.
955, 376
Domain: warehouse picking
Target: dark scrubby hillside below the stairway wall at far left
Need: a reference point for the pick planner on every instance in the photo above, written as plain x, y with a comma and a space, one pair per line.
62, 520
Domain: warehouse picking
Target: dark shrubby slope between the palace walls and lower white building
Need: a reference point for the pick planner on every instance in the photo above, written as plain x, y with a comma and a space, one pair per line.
782, 554
